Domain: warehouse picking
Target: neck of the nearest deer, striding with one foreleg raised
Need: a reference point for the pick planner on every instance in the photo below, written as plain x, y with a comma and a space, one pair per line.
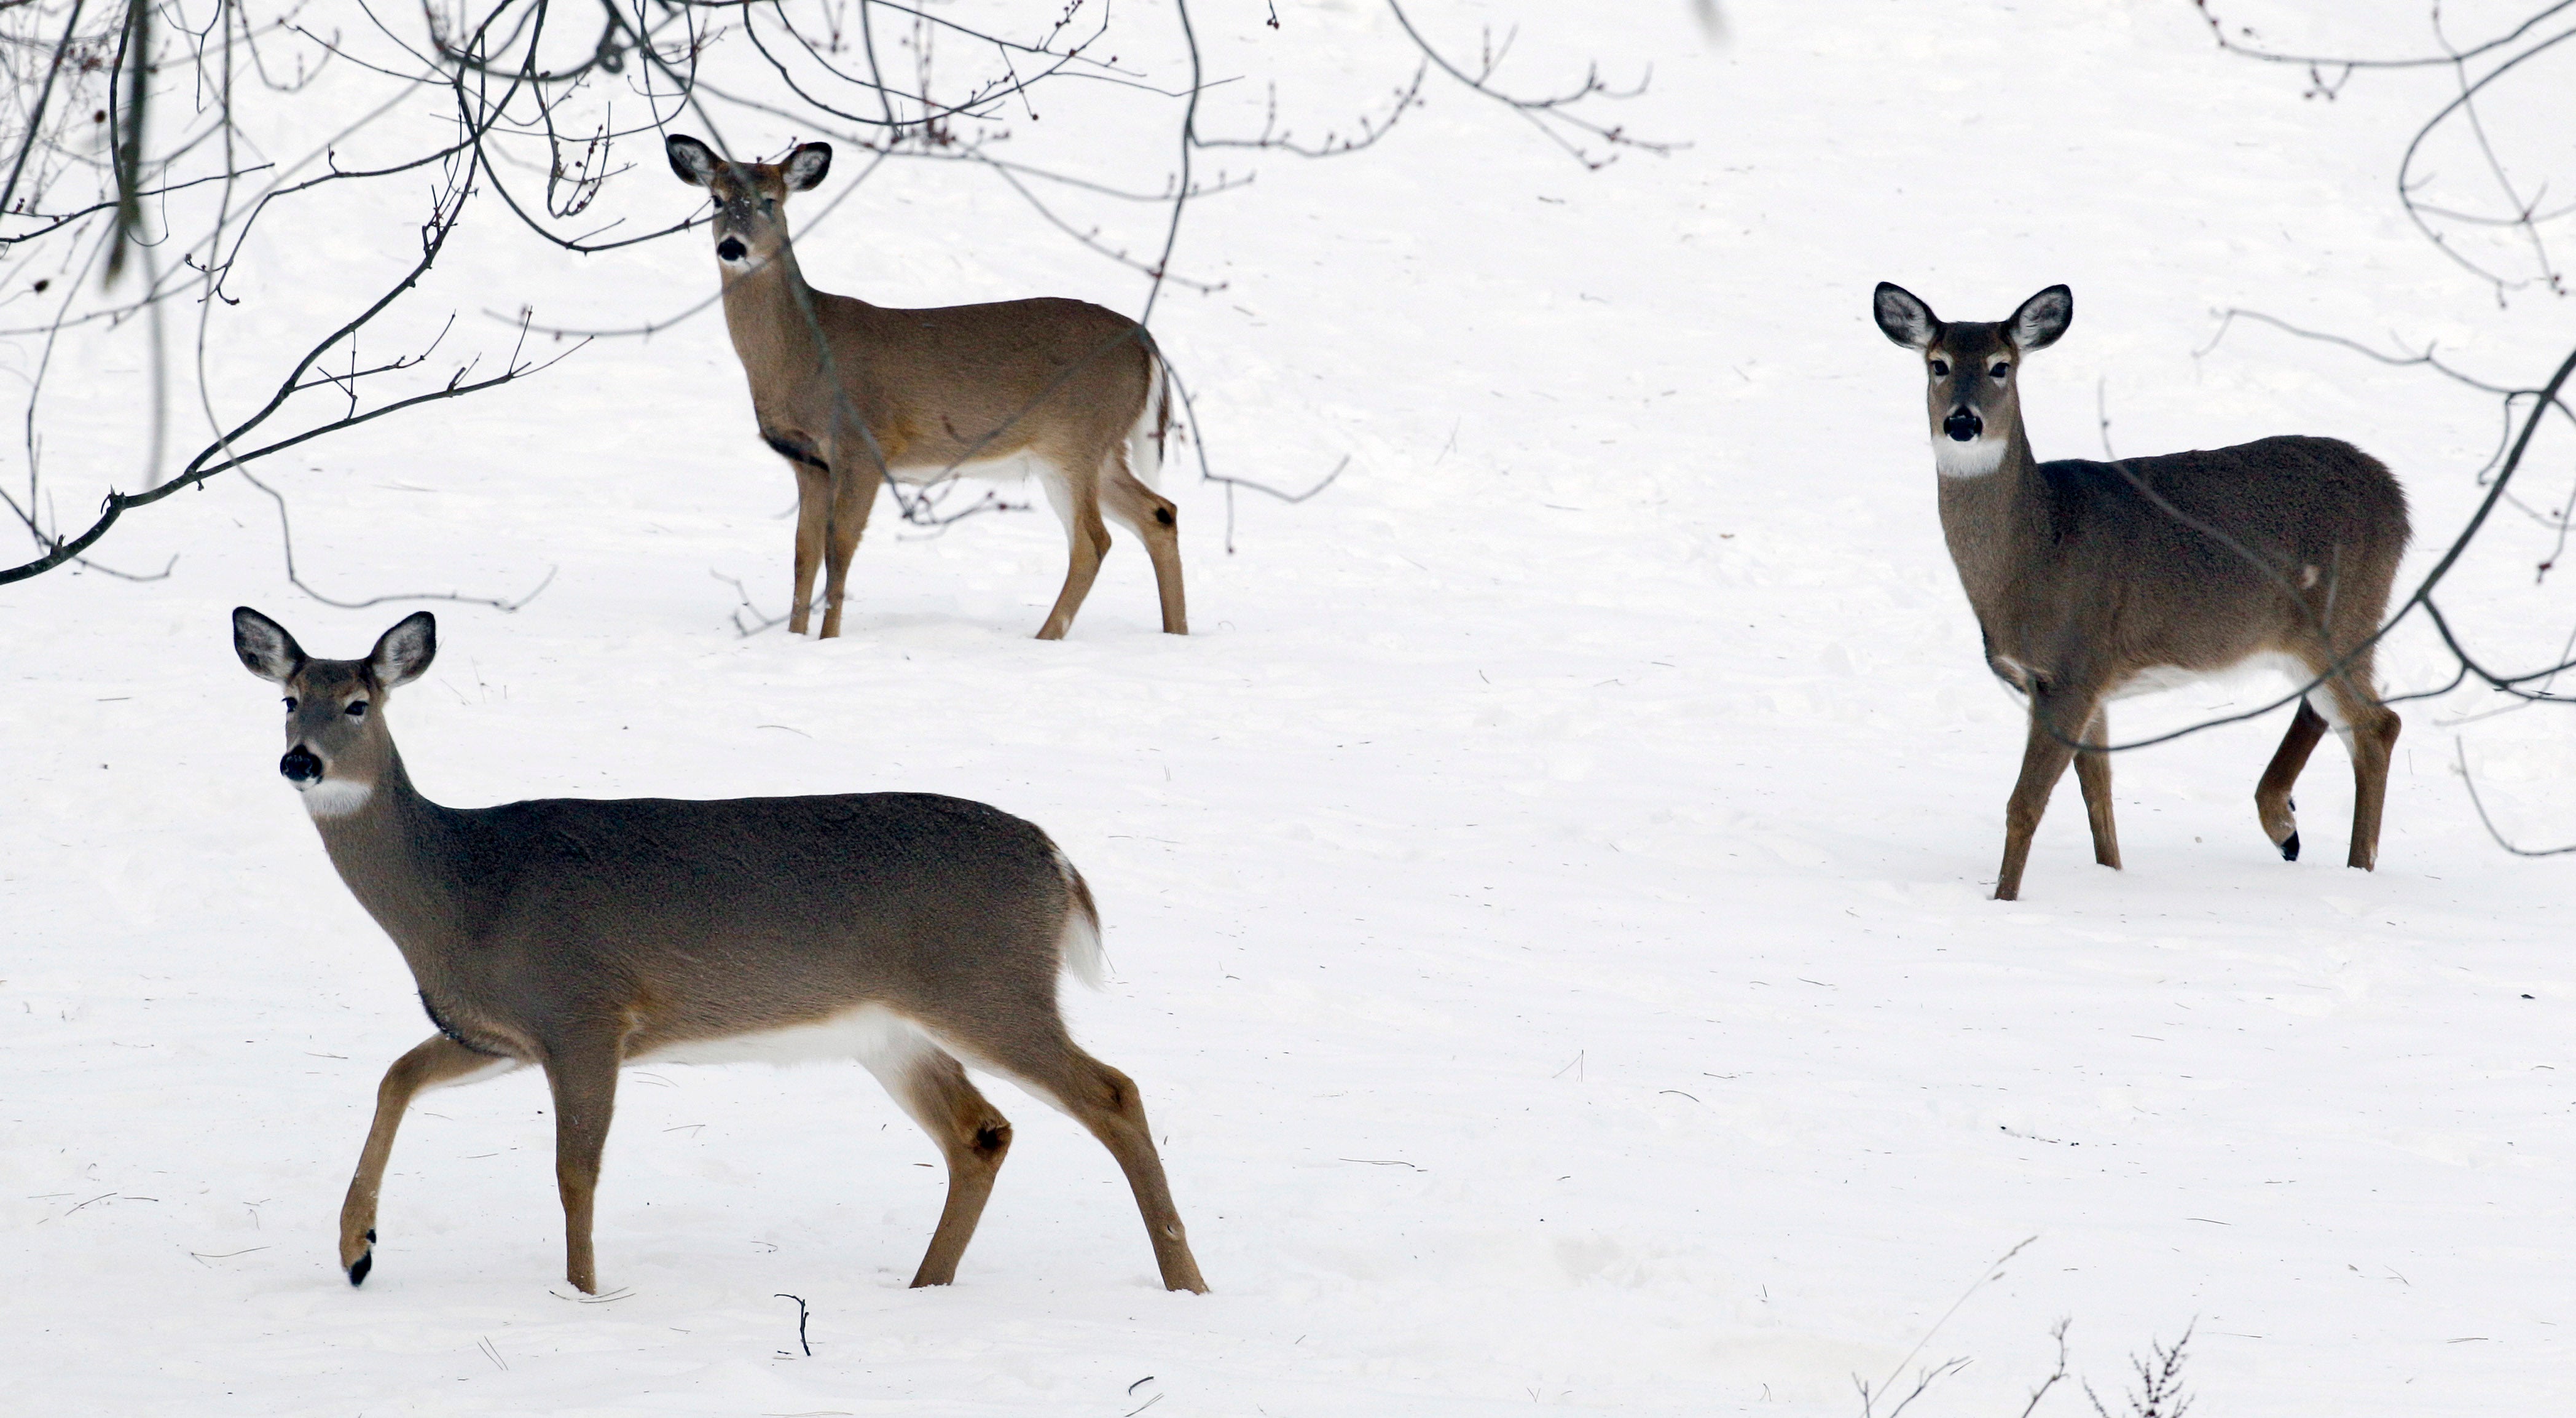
401, 858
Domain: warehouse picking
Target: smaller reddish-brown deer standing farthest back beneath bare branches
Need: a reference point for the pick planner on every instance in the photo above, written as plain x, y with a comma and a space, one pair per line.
854, 395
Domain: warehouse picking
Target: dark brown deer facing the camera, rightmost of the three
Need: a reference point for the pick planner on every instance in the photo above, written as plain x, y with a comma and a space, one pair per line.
2106, 580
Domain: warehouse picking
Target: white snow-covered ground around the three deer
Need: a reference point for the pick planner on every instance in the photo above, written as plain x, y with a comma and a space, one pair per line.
1547, 892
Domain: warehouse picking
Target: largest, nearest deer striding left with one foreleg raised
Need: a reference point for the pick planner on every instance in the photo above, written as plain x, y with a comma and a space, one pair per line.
905, 930
